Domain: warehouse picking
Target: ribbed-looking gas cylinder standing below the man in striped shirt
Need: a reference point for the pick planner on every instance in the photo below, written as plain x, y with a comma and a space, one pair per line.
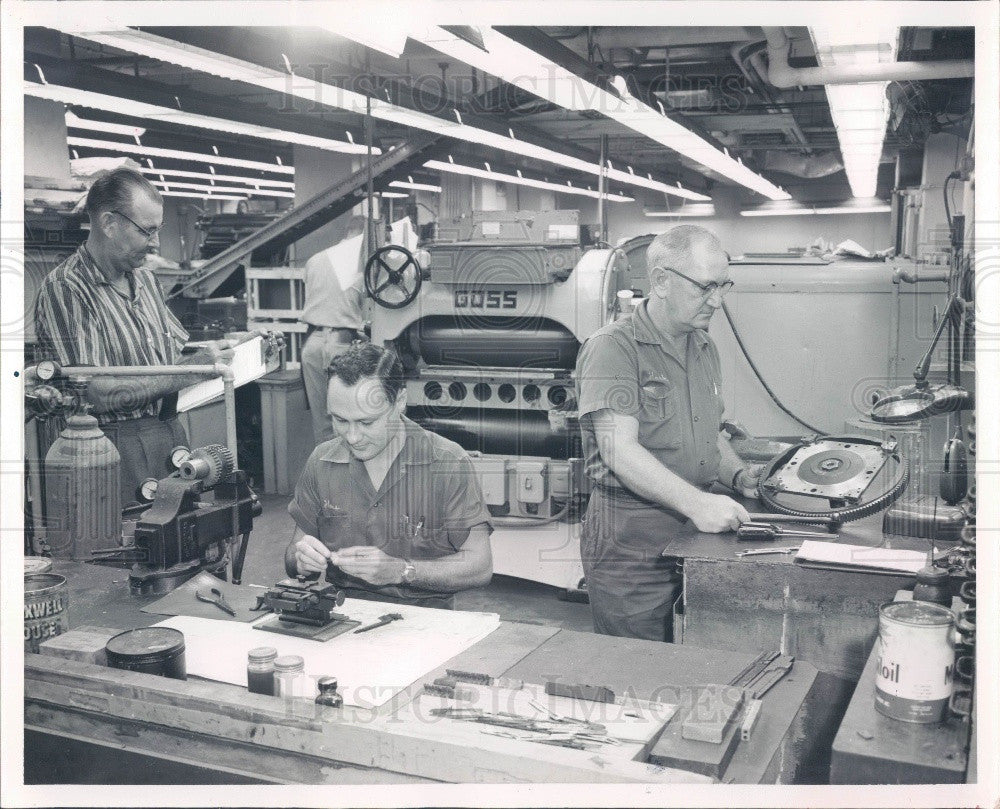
82, 491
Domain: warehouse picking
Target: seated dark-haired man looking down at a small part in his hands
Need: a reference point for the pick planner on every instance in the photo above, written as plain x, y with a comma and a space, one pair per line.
396, 510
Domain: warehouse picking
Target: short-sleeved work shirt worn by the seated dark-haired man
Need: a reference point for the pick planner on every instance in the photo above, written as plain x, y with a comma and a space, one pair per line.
424, 509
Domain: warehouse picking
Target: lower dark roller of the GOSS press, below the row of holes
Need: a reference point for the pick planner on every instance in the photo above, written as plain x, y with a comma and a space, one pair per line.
499, 432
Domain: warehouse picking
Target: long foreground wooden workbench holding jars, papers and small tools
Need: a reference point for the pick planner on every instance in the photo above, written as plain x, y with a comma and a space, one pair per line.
89, 724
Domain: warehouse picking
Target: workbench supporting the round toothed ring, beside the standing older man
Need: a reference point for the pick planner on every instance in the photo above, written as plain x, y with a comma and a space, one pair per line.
826, 617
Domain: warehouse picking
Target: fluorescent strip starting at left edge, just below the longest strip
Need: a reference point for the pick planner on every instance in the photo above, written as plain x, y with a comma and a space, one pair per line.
153, 112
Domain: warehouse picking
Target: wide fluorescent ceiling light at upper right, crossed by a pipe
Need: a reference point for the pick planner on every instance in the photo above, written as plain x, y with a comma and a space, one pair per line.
859, 111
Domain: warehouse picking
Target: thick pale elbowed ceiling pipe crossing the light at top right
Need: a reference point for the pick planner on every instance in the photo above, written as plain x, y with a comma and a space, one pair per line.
780, 74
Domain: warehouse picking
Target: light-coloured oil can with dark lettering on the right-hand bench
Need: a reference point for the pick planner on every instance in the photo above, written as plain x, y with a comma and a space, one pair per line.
916, 661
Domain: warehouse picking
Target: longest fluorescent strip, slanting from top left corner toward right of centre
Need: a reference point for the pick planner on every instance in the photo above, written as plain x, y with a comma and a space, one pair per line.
314, 92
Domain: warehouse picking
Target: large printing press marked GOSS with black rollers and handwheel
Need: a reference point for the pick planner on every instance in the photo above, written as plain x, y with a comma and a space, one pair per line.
488, 329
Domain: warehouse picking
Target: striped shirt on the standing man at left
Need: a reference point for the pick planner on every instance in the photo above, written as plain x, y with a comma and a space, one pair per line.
82, 319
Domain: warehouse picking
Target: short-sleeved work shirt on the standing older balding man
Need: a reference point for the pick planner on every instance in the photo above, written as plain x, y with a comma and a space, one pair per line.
629, 368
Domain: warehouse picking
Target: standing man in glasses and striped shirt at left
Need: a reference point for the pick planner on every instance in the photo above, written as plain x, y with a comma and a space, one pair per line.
100, 307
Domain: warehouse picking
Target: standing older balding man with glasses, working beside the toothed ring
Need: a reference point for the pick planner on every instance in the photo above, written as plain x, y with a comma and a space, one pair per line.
650, 412
